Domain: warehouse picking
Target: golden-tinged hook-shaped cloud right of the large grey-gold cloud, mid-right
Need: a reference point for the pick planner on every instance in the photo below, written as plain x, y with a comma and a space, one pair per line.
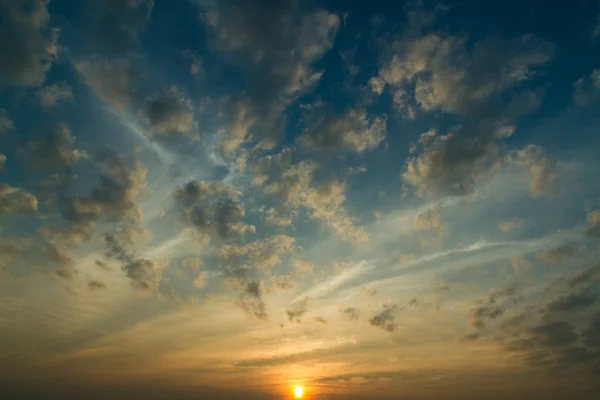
541, 168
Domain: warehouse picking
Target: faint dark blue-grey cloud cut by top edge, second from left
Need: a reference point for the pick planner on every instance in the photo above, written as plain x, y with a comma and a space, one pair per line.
114, 25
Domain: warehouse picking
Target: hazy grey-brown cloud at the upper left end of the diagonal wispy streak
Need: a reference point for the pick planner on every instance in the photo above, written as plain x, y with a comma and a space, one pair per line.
109, 79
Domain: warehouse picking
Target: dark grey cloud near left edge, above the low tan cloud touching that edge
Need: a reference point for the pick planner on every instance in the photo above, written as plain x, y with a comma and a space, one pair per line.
52, 148
